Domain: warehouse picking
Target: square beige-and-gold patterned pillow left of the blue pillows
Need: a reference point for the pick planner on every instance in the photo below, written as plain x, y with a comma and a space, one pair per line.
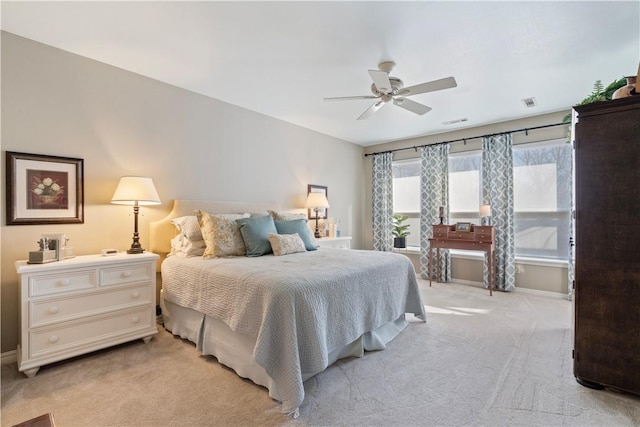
221, 234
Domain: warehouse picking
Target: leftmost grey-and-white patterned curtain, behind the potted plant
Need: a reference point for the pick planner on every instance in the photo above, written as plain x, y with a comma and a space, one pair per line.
382, 188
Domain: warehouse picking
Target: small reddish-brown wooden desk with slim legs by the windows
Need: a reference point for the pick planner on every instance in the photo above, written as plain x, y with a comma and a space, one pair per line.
478, 238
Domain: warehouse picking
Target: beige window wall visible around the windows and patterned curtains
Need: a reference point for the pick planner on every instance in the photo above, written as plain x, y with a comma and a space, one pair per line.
535, 276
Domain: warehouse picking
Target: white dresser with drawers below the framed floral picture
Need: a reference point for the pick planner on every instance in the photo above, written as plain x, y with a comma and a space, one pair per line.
86, 303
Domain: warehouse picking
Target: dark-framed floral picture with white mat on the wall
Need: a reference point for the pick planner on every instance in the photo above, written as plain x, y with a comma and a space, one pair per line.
44, 189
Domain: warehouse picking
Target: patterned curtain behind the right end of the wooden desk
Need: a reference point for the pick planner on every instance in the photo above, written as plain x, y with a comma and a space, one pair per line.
497, 190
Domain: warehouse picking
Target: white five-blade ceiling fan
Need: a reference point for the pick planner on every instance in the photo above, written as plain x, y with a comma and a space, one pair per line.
386, 88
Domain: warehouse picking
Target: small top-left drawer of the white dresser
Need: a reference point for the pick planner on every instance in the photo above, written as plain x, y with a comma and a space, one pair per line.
73, 280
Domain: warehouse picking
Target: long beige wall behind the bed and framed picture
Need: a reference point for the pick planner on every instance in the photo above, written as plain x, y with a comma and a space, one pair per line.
121, 123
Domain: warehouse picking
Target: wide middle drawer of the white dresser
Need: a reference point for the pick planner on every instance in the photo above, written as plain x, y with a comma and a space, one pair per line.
45, 312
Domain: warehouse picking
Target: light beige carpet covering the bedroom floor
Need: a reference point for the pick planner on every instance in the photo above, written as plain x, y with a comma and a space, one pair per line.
479, 360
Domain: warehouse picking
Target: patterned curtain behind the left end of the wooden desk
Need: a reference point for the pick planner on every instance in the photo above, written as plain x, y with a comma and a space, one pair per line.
434, 192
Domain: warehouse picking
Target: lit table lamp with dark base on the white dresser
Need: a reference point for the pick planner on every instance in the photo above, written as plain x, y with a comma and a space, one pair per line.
135, 191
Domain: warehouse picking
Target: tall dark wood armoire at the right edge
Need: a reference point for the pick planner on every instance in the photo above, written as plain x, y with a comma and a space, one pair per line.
607, 275
